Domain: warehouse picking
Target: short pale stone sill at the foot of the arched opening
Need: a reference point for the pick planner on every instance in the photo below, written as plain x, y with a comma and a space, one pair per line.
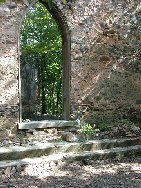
46, 124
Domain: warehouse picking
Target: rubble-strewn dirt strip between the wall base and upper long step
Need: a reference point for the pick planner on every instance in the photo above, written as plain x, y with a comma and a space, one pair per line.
31, 137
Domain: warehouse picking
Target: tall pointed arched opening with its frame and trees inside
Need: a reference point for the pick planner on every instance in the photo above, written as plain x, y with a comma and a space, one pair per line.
44, 94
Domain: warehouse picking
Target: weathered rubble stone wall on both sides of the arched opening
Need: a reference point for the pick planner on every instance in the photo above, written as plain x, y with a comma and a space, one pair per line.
105, 57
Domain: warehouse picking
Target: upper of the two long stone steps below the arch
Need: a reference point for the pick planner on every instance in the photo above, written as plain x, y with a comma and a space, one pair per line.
47, 149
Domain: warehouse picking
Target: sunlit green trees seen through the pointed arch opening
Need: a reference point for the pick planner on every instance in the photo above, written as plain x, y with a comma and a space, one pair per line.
41, 47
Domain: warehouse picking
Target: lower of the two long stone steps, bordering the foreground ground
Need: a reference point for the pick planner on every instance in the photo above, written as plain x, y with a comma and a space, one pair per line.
113, 153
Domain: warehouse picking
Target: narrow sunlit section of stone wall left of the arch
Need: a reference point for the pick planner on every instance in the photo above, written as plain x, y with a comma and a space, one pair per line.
10, 17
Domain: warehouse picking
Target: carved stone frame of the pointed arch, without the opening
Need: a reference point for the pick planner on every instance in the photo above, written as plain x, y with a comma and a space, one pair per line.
66, 48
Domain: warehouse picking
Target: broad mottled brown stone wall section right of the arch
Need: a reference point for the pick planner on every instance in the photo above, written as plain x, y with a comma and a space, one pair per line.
106, 59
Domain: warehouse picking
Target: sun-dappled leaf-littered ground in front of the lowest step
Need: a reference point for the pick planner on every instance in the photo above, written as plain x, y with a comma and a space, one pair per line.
125, 173
